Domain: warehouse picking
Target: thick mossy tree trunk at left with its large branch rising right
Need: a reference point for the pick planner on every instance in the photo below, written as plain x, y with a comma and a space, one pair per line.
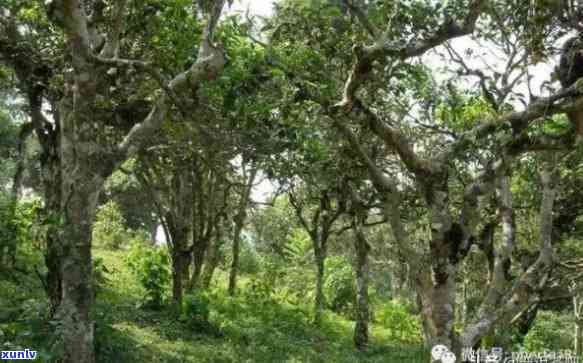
86, 158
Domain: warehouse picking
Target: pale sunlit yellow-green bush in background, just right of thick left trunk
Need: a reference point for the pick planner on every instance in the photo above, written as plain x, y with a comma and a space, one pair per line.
109, 228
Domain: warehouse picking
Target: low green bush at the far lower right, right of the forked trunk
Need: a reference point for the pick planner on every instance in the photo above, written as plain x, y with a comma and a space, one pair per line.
551, 332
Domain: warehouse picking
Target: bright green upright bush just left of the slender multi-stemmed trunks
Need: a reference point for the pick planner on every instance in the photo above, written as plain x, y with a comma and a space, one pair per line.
152, 268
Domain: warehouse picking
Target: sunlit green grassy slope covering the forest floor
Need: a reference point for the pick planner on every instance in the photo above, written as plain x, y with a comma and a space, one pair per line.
271, 332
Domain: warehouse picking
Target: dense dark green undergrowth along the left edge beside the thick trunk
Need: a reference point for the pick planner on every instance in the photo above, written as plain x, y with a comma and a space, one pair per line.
23, 308
